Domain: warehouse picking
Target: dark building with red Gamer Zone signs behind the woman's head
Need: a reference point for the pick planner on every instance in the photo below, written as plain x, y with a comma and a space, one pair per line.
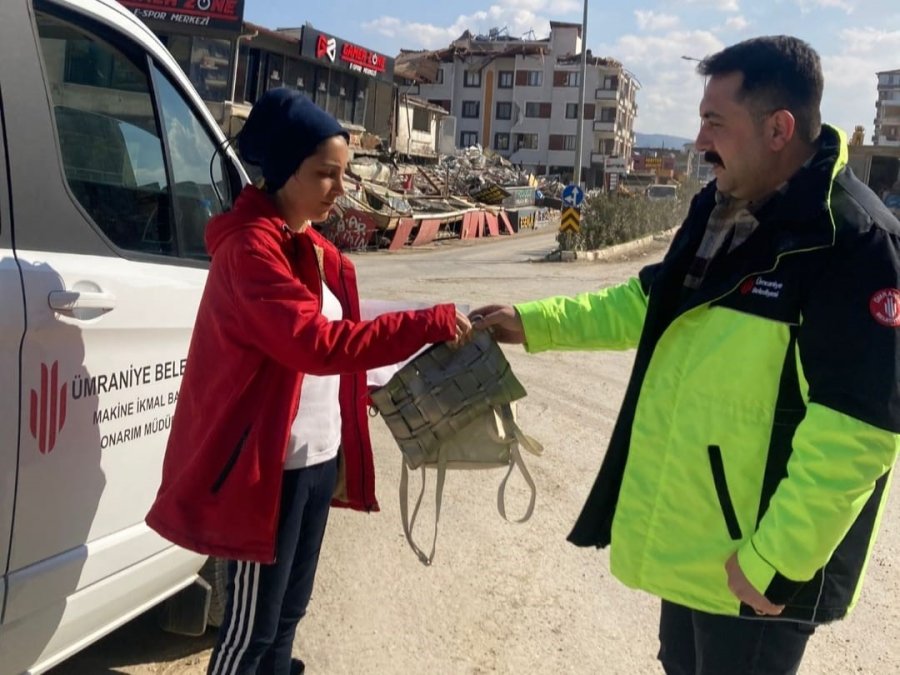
232, 62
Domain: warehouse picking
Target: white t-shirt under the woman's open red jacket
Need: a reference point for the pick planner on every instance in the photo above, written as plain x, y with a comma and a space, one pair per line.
316, 432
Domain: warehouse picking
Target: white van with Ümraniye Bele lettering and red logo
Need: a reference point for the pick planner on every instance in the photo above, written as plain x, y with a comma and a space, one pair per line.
108, 174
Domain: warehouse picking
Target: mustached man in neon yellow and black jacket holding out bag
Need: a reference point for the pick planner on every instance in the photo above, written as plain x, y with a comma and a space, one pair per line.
745, 475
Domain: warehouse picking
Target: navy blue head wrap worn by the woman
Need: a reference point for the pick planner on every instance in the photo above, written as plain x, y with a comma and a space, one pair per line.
283, 129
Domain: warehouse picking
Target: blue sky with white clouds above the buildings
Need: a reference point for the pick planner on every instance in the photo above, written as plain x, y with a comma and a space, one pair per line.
855, 39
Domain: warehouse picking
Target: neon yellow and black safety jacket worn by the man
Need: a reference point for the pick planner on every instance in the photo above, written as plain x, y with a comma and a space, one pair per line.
763, 411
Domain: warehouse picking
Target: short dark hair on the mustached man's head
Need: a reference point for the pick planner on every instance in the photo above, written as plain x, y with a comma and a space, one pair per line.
780, 73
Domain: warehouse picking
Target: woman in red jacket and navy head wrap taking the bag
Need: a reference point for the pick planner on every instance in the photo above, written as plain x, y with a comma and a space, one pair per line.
270, 425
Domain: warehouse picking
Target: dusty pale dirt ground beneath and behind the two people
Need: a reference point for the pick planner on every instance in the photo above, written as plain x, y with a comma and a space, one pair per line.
500, 597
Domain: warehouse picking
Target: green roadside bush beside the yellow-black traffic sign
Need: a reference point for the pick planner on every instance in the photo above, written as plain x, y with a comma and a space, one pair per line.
614, 218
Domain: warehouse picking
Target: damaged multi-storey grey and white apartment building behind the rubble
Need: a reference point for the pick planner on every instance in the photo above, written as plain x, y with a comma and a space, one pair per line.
519, 98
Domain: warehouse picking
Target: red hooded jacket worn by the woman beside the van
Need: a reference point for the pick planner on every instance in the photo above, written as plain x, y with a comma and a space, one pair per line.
259, 328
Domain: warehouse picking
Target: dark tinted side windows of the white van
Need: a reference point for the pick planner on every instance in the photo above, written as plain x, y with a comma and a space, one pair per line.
113, 153
